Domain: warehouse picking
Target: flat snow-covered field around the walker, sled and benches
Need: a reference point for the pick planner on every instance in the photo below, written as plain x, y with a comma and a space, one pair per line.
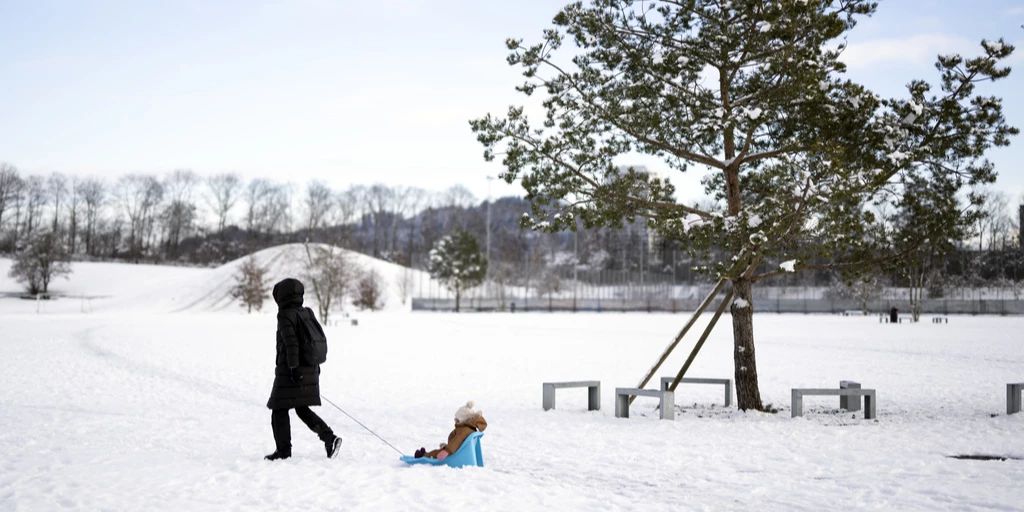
145, 409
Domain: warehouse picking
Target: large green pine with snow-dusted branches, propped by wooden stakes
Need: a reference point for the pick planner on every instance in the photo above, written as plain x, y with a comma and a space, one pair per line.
753, 94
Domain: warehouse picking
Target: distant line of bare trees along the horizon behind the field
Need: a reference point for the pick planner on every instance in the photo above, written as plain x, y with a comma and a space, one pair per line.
184, 219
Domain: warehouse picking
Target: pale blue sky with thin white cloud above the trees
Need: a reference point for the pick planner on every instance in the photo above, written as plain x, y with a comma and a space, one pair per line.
349, 93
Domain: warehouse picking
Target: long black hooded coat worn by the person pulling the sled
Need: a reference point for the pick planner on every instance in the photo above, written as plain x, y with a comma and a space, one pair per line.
288, 395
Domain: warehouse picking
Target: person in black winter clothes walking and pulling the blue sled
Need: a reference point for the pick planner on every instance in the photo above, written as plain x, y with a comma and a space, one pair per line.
295, 387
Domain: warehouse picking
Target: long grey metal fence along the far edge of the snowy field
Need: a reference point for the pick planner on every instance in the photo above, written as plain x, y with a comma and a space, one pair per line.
569, 290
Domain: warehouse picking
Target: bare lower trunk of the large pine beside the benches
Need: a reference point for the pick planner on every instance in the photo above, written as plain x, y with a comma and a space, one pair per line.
748, 394
